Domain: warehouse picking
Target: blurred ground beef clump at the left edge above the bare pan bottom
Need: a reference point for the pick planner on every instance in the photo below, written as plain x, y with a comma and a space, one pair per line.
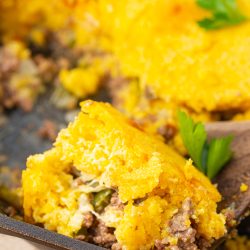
15, 91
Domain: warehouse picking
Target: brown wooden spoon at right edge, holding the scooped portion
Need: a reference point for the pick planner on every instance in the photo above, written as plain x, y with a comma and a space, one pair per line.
237, 171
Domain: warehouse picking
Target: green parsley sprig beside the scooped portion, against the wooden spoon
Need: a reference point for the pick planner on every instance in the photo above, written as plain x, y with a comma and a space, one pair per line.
208, 157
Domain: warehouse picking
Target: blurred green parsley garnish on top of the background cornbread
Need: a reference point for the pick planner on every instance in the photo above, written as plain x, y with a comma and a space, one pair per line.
224, 13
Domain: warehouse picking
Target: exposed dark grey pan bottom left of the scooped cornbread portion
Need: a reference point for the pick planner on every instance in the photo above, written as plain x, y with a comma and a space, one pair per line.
18, 135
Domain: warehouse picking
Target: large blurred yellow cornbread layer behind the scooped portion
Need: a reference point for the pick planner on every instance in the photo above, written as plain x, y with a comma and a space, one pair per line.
158, 43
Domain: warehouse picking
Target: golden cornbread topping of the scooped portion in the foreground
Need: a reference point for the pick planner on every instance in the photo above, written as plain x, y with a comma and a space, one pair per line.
105, 146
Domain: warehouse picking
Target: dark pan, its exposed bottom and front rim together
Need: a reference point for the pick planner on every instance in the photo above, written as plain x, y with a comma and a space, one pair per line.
19, 139
